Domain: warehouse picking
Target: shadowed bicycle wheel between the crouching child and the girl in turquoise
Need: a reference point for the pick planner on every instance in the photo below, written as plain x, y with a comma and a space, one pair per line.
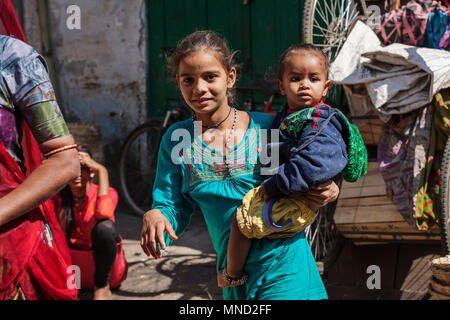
137, 168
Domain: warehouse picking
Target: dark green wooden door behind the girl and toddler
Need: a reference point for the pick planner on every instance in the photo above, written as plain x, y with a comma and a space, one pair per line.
260, 30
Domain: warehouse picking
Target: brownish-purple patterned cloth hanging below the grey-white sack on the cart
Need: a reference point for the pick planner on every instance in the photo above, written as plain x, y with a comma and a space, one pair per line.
401, 157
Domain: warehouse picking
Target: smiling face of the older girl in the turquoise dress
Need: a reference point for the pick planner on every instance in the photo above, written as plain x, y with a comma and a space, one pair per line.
203, 81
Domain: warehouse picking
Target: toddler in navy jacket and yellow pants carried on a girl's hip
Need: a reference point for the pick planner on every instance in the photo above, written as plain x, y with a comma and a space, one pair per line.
313, 149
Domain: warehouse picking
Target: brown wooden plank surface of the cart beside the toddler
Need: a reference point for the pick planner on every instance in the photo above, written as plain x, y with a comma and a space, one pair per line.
366, 214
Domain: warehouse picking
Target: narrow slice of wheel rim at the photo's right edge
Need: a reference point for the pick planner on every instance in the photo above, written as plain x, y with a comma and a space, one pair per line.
444, 199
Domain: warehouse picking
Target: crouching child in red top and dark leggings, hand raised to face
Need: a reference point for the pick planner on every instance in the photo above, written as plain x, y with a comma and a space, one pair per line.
87, 217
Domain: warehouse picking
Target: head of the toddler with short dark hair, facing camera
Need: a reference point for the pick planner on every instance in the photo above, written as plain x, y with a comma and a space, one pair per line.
304, 80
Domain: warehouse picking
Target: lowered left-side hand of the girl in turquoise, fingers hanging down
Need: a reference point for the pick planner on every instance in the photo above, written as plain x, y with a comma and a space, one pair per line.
153, 226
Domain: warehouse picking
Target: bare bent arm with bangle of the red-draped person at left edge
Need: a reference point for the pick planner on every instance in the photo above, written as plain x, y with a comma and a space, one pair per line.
49, 178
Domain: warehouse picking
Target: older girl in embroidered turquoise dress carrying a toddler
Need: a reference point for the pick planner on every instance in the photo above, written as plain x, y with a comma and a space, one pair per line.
202, 174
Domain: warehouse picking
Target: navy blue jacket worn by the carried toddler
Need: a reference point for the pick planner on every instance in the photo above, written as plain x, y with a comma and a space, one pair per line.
321, 160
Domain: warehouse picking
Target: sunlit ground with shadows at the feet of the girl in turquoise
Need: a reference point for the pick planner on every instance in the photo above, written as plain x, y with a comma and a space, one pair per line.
185, 272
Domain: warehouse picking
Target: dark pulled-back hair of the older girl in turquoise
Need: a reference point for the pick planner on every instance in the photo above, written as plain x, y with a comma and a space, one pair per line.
204, 40
